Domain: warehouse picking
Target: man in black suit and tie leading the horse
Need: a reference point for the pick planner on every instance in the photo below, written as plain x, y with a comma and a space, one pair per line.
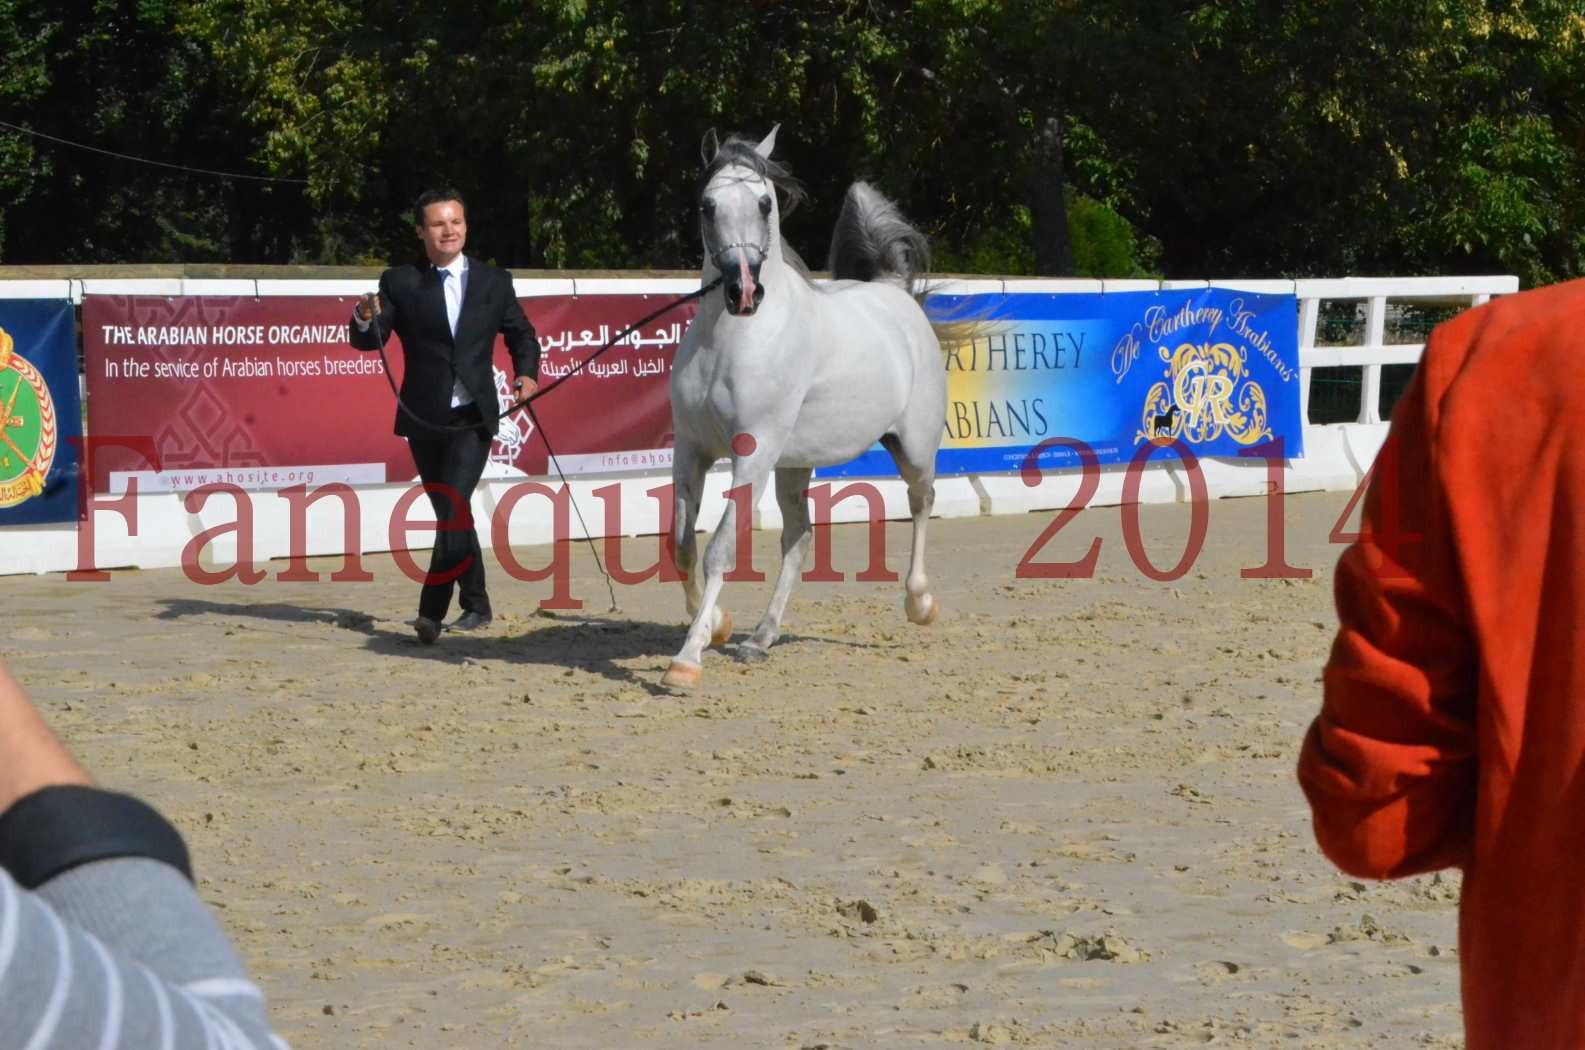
448, 312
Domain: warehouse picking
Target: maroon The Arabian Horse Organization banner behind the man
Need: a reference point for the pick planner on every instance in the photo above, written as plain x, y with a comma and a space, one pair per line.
267, 393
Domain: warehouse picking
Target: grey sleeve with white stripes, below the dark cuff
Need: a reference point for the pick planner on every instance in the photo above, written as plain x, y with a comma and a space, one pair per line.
121, 956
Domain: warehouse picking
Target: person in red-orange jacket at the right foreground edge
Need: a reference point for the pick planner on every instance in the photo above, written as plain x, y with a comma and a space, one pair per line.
1453, 730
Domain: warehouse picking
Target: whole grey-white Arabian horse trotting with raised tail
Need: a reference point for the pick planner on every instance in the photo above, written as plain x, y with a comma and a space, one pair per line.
784, 375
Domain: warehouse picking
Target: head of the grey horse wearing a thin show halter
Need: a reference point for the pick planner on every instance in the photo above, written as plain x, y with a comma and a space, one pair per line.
739, 218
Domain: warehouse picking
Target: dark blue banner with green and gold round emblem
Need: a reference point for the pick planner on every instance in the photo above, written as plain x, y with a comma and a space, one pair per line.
40, 412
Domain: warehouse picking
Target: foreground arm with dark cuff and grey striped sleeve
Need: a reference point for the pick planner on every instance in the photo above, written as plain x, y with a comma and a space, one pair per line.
104, 943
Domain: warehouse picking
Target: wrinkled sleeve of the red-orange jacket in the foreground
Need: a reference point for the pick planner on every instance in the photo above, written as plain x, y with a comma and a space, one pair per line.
1389, 764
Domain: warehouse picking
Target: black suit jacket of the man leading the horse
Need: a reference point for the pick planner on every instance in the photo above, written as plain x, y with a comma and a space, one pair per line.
413, 305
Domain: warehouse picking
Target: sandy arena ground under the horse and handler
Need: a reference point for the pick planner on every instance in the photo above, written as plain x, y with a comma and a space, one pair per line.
1064, 816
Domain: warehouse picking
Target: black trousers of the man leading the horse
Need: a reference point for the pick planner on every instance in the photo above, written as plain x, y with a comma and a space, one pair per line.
454, 462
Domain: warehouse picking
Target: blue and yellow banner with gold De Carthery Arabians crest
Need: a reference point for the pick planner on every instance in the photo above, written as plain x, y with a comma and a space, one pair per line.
1213, 369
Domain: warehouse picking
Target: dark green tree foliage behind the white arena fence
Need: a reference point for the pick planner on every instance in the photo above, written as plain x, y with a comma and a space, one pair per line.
1216, 139
